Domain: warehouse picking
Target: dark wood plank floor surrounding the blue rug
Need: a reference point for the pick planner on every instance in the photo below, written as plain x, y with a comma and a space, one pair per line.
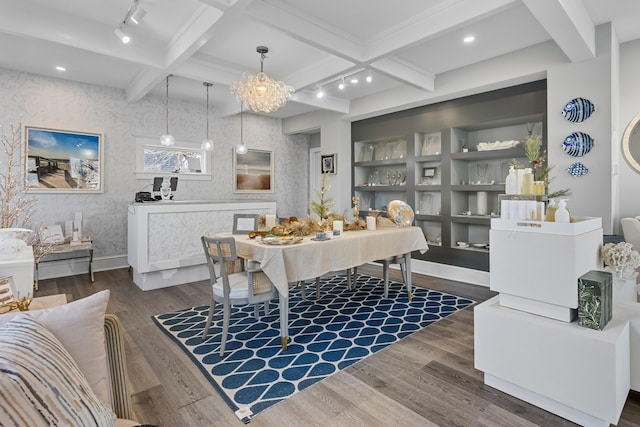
427, 379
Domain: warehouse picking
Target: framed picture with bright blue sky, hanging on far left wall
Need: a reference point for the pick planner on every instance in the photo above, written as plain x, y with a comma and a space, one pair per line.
63, 161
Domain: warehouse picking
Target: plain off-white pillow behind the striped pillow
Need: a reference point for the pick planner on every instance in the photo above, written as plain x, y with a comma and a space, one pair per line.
79, 325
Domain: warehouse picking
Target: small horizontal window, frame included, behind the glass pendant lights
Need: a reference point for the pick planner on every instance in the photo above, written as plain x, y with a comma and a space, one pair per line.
184, 158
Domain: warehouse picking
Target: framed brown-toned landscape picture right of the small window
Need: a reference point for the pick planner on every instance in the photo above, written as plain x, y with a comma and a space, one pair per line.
253, 171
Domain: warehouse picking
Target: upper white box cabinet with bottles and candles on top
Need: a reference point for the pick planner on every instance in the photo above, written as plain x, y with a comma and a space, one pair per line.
536, 265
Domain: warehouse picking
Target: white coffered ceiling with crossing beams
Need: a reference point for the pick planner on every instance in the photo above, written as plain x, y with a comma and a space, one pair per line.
312, 44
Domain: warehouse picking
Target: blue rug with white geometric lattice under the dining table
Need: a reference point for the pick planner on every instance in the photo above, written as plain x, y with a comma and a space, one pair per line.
326, 335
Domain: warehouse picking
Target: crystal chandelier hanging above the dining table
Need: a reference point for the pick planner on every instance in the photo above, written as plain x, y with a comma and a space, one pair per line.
258, 92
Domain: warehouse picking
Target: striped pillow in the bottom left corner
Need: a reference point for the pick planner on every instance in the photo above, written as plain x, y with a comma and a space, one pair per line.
40, 382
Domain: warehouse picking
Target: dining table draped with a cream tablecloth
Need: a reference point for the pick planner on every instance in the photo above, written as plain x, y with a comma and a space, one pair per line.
308, 258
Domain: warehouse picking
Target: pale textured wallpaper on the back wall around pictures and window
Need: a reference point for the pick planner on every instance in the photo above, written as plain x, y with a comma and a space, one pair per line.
61, 104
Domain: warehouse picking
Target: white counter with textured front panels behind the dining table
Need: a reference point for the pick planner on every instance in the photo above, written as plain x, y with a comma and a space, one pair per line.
164, 246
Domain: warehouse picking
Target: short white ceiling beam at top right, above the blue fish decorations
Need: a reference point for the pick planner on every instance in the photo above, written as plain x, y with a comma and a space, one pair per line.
569, 24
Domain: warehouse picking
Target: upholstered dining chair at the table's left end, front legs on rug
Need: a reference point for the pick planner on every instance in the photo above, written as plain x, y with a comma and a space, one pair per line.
228, 287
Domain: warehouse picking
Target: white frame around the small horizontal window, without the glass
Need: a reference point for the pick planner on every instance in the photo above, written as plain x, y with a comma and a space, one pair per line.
146, 142
